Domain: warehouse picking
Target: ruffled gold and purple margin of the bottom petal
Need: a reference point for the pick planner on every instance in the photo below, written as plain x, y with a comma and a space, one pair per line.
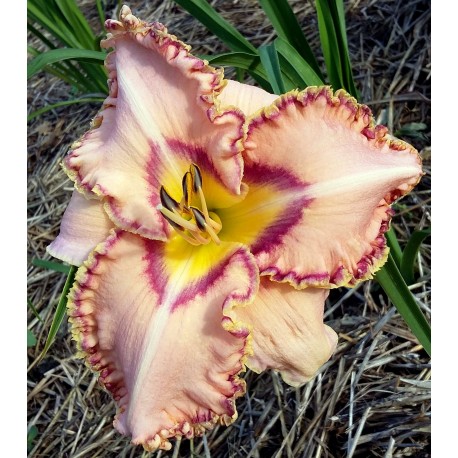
87, 328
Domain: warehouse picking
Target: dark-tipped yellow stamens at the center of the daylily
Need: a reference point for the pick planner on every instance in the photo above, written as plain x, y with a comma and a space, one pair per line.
197, 226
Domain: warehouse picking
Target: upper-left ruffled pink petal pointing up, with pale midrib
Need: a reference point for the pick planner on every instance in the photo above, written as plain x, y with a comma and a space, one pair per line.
160, 116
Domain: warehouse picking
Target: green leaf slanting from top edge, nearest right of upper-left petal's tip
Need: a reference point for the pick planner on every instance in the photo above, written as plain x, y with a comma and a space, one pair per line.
205, 13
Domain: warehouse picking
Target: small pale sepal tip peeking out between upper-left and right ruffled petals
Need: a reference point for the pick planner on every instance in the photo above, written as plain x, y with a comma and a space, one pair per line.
247, 98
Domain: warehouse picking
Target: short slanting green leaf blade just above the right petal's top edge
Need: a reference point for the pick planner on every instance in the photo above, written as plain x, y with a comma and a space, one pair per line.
295, 67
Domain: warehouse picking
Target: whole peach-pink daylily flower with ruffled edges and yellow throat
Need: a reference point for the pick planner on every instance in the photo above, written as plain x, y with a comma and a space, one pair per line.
210, 219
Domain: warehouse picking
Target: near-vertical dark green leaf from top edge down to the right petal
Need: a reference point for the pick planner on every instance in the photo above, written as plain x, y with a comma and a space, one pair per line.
333, 37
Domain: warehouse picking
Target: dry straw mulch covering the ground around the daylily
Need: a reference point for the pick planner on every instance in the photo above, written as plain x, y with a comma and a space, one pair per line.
373, 397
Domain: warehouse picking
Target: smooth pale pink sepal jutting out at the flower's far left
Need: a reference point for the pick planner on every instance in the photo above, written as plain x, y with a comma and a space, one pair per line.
84, 225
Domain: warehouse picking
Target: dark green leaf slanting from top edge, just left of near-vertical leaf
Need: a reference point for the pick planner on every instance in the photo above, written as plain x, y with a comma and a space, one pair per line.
285, 23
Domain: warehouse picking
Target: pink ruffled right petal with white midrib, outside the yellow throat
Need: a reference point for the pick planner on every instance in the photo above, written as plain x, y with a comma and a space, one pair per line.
349, 170
